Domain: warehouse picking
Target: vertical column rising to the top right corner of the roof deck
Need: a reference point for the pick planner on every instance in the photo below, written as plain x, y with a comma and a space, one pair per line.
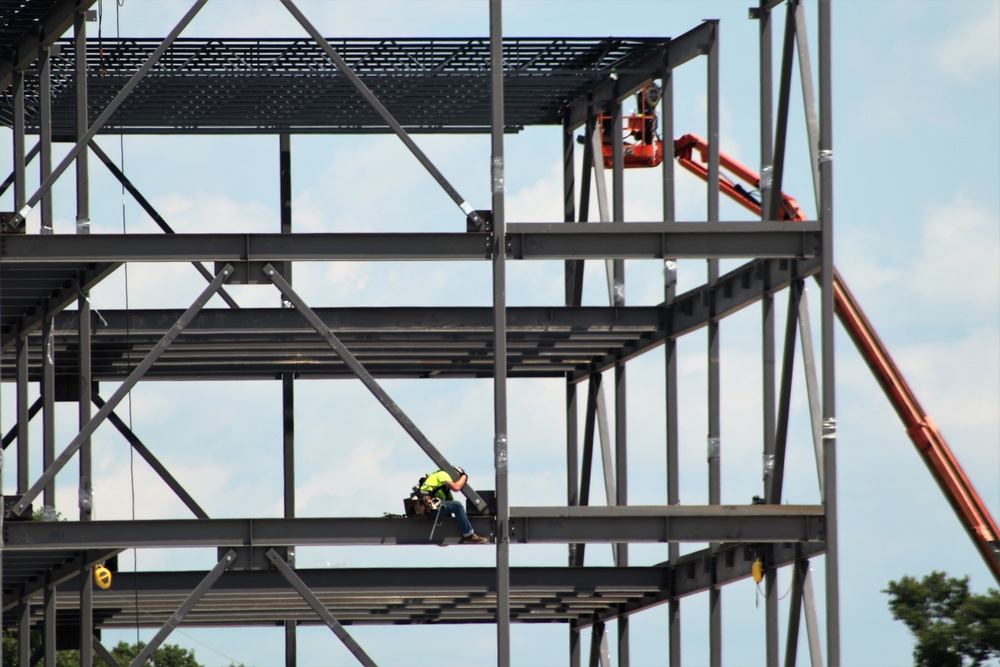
714, 374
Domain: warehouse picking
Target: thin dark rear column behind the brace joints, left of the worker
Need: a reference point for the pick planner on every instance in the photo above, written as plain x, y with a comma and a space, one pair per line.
287, 380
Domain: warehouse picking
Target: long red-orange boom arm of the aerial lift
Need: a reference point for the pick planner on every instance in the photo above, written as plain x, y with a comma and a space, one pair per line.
920, 427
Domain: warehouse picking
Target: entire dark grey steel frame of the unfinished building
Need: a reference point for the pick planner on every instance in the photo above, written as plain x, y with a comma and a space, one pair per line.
407, 86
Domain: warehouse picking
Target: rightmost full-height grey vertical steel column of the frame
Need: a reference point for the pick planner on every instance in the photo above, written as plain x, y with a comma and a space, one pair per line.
829, 385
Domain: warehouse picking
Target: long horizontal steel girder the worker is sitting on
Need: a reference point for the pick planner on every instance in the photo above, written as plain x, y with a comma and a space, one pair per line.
536, 525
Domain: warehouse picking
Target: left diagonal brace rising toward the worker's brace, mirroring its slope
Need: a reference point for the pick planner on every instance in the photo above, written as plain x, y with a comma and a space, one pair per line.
120, 393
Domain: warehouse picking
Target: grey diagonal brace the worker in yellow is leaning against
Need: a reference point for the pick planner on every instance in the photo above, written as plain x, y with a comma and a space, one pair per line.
366, 378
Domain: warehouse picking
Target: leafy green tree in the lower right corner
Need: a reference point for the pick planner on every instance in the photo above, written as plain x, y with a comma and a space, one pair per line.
950, 624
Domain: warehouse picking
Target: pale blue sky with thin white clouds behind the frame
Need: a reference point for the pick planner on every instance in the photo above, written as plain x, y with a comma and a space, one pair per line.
917, 230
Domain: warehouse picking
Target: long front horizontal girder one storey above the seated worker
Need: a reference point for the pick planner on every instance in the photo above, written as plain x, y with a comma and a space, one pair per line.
524, 241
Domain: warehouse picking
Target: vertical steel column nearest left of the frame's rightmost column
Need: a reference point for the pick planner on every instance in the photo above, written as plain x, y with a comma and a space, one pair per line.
767, 326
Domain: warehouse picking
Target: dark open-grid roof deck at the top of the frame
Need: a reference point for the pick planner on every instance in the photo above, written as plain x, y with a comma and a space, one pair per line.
274, 85
